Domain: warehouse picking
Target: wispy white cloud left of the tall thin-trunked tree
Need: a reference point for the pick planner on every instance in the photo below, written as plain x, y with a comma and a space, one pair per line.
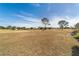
28, 21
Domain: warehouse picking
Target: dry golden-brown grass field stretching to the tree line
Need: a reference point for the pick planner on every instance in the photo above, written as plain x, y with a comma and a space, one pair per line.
55, 42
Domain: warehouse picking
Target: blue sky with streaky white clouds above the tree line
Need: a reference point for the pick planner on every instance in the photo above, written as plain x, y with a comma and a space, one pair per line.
30, 14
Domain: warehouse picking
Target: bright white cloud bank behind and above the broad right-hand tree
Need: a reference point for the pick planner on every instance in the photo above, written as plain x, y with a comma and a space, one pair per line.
72, 20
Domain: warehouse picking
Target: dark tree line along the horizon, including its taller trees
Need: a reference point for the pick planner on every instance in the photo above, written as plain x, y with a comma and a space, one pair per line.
45, 21
